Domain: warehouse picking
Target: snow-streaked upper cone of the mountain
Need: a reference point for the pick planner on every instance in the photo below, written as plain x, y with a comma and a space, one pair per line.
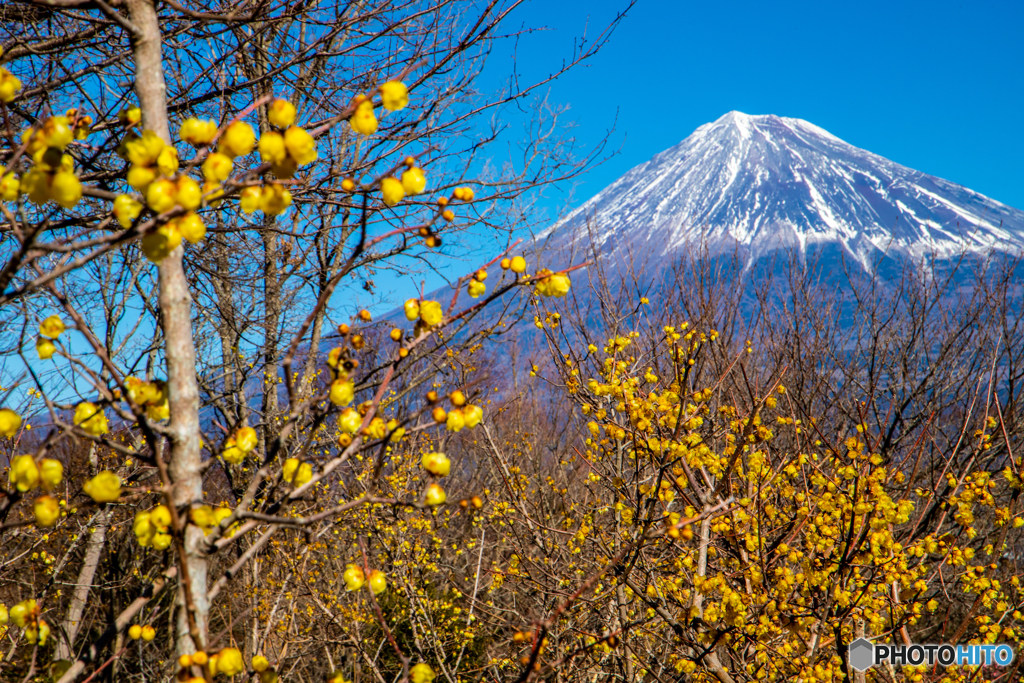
766, 183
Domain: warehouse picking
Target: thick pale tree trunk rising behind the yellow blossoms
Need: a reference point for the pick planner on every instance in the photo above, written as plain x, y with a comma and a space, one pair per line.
176, 312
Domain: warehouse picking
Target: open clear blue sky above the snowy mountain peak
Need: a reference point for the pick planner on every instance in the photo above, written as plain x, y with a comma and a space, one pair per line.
937, 87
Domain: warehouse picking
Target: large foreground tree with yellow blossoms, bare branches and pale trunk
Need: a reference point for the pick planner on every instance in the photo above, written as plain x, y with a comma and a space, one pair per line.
191, 201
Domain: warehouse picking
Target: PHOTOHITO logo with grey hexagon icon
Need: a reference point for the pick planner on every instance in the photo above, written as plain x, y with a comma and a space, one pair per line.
865, 655
